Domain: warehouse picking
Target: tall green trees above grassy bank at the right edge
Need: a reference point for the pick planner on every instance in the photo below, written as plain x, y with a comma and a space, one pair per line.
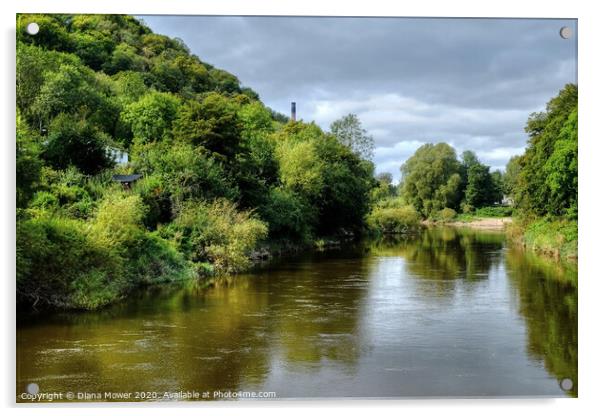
543, 182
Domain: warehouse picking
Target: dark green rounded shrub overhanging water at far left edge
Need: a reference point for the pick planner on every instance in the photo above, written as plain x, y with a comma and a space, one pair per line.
59, 266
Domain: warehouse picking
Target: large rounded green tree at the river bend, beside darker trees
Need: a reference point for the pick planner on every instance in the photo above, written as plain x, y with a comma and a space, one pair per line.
431, 178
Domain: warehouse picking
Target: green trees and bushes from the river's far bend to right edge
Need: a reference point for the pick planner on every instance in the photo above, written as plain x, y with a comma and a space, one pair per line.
540, 185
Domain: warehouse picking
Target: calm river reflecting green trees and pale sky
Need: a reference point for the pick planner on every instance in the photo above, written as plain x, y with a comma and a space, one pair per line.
449, 312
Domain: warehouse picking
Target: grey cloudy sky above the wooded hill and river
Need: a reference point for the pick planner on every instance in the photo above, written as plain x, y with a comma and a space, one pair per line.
469, 82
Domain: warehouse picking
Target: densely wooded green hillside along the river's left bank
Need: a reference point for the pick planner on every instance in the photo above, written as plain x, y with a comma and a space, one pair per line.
221, 172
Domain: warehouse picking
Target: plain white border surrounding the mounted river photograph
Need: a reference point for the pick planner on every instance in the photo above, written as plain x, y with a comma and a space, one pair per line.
590, 137
